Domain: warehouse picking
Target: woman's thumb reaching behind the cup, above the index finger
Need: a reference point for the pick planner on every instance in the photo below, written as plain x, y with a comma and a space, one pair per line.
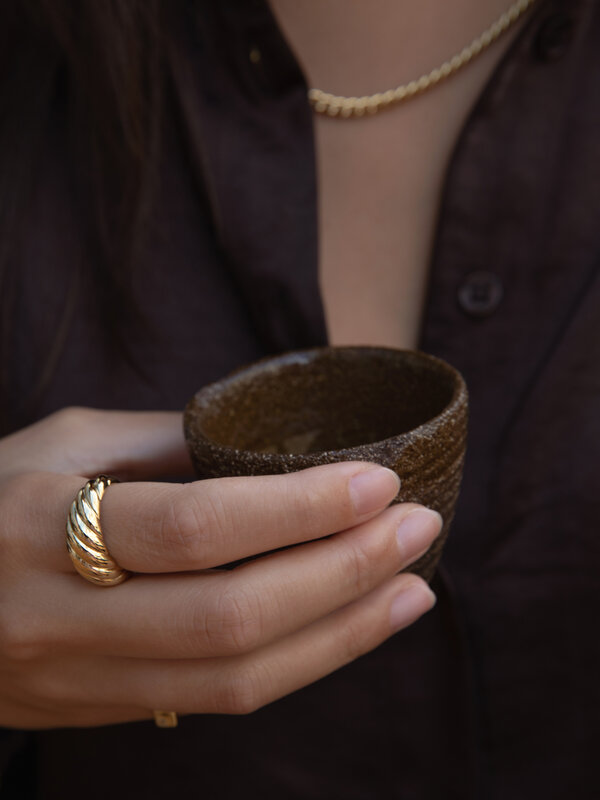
131, 445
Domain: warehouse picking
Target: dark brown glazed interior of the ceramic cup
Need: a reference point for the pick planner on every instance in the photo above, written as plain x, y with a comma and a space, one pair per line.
321, 400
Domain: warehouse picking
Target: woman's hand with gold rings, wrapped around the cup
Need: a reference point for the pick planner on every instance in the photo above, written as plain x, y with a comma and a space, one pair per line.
180, 635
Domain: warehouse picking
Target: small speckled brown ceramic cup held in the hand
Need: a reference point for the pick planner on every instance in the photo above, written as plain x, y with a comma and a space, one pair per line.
402, 409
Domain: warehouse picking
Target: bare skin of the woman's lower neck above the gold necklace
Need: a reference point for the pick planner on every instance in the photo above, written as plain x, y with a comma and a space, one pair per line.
354, 47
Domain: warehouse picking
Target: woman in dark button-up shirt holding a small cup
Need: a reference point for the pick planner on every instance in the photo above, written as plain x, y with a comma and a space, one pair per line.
163, 229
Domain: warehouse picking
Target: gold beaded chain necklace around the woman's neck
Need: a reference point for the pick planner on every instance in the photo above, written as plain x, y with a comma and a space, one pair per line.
345, 107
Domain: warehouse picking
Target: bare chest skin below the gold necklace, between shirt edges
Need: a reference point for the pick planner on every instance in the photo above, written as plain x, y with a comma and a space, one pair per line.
380, 181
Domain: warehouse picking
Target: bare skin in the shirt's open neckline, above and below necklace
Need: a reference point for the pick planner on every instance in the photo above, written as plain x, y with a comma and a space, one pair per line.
381, 178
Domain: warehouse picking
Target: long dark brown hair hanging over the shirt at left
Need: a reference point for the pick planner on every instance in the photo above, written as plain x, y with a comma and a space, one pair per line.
105, 61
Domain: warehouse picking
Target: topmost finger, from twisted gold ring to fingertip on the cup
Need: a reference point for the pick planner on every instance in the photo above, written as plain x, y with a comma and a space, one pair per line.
153, 527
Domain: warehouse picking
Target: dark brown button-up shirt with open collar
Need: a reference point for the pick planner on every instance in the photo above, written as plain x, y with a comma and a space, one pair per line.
494, 694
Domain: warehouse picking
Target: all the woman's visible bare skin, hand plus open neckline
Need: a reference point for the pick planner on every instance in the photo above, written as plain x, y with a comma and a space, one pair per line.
181, 635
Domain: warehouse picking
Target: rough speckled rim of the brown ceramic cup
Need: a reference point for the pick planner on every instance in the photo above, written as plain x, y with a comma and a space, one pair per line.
202, 399
